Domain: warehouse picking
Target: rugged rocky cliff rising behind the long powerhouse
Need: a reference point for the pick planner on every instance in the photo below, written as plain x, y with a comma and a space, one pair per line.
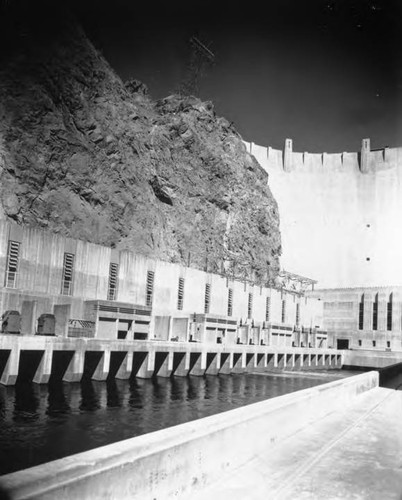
87, 156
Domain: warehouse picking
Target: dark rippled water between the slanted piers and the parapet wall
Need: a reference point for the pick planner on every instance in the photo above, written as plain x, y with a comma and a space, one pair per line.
43, 423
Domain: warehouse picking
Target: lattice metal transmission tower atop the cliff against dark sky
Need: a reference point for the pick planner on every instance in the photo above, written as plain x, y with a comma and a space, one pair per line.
201, 57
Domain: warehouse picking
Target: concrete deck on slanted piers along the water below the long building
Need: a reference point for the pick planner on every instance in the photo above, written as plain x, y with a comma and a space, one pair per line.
92, 358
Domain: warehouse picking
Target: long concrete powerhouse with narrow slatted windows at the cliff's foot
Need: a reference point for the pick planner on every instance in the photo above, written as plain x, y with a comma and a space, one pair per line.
61, 286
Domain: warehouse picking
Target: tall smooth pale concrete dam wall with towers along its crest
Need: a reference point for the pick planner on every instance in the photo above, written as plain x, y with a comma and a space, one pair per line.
340, 213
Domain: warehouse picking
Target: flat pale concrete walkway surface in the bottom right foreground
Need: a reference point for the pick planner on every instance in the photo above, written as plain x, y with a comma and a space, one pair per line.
351, 454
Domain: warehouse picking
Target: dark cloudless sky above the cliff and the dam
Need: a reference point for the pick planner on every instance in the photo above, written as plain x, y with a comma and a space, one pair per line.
324, 72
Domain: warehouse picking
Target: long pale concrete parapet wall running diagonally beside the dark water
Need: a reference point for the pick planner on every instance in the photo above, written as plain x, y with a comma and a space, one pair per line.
178, 460
